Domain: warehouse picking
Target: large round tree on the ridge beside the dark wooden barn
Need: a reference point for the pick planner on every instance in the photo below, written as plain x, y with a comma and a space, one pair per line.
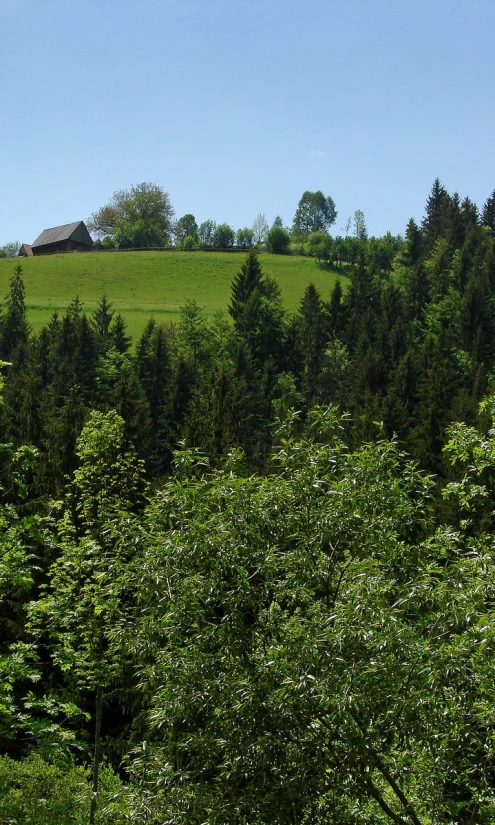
137, 217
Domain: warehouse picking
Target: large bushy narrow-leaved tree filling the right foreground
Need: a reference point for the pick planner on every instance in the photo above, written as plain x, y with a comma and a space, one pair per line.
314, 647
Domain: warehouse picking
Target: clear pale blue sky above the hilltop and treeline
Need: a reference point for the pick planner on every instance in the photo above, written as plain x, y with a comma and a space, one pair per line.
237, 106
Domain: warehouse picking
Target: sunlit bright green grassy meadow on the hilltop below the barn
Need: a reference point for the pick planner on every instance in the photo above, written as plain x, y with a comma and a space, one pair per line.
140, 284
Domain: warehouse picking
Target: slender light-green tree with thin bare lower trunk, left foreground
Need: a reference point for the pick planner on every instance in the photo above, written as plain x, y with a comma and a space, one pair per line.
87, 586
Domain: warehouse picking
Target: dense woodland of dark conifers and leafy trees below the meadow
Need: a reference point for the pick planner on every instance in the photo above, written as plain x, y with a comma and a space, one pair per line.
247, 568
